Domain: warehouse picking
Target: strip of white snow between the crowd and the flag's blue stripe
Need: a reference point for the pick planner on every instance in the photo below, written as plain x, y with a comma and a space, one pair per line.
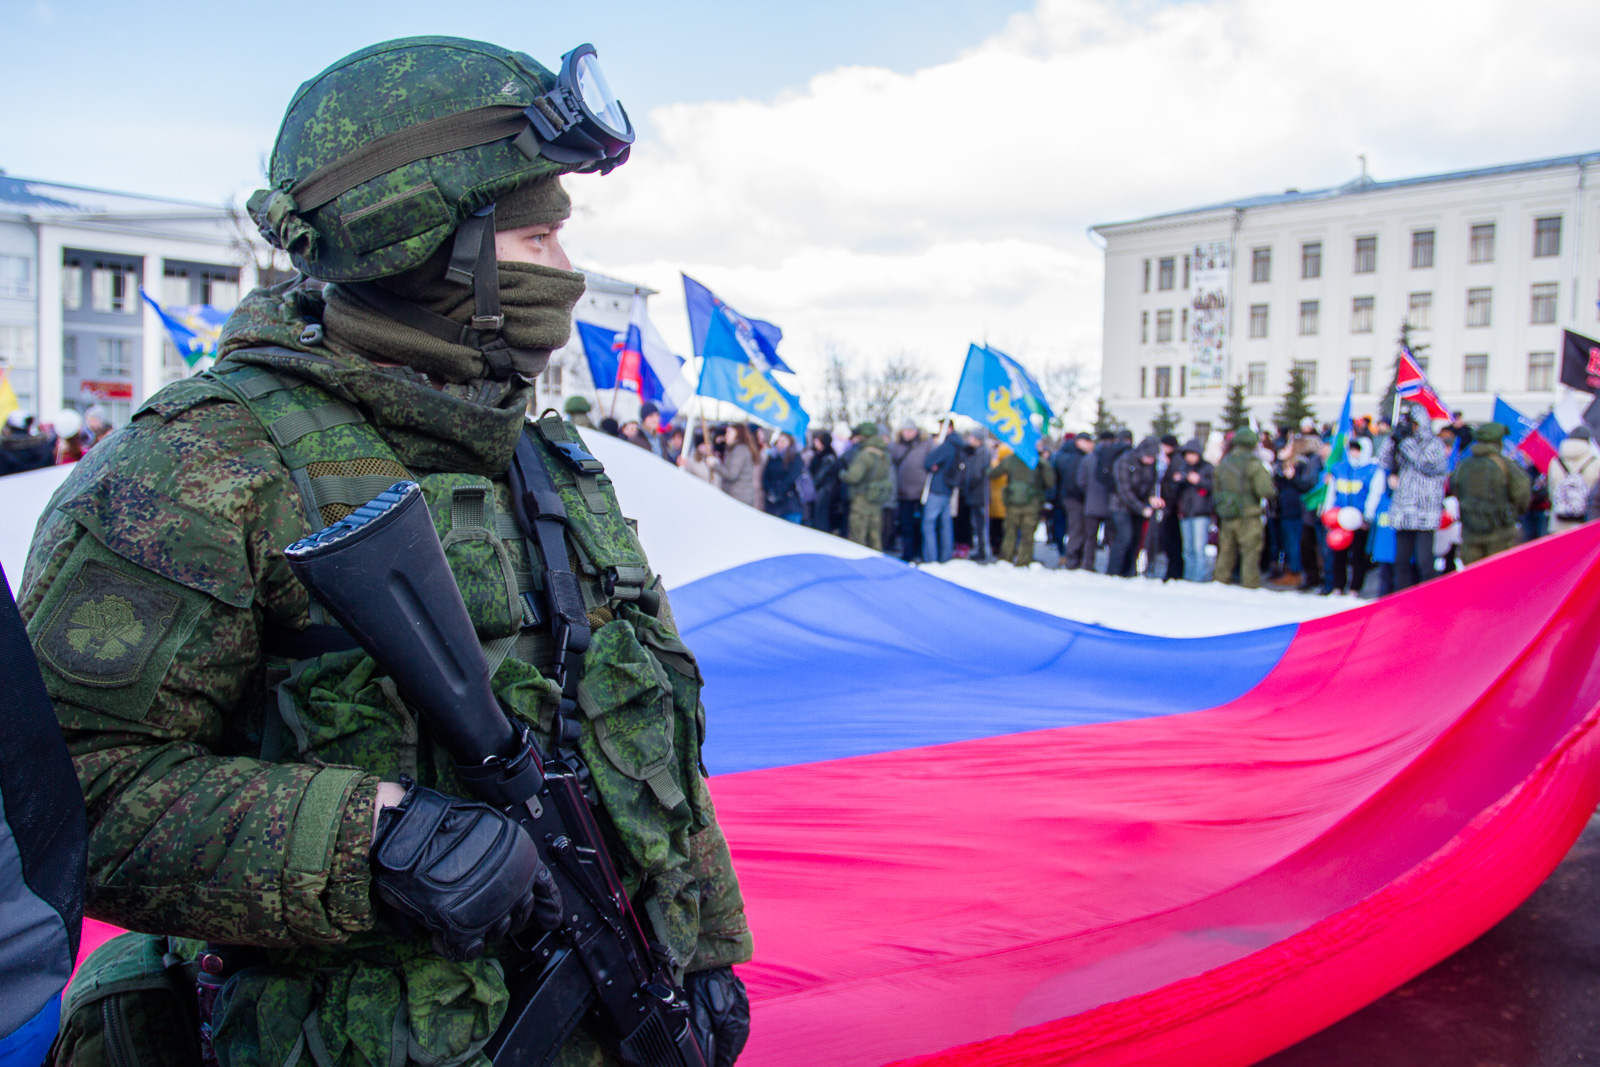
1140, 605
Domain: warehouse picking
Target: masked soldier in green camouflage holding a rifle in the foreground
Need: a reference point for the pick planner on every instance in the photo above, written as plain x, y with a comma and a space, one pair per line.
238, 770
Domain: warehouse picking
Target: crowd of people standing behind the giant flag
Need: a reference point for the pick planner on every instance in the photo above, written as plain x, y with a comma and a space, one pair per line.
1399, 505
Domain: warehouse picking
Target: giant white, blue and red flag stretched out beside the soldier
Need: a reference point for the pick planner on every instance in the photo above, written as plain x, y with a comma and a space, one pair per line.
977, 834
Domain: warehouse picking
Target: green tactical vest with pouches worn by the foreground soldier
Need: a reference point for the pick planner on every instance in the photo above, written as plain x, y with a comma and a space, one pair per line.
641, 737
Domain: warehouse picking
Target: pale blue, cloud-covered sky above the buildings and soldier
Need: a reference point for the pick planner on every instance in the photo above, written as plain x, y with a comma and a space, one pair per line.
873, 174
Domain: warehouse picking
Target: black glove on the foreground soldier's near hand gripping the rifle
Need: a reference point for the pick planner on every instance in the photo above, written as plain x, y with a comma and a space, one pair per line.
462, 871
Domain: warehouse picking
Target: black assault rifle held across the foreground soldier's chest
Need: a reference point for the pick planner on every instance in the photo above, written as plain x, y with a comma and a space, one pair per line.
383, 575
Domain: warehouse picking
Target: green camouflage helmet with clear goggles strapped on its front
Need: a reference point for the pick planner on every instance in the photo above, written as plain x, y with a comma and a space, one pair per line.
391, 150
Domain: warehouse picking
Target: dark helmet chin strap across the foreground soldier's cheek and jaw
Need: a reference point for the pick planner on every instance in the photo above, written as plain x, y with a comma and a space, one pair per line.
473, 263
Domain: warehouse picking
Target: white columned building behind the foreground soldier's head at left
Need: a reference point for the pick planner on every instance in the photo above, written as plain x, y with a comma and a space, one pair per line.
74, 330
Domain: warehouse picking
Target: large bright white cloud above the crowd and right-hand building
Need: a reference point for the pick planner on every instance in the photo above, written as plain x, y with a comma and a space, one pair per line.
926, 210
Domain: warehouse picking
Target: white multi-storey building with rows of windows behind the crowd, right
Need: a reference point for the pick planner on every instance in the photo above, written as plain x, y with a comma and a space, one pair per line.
1487, 266
